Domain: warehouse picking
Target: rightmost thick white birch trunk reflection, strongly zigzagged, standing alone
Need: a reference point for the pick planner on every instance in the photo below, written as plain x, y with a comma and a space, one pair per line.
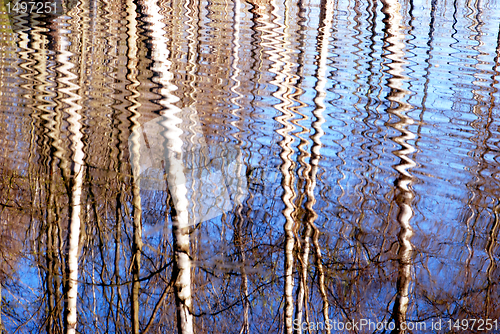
394, 36
